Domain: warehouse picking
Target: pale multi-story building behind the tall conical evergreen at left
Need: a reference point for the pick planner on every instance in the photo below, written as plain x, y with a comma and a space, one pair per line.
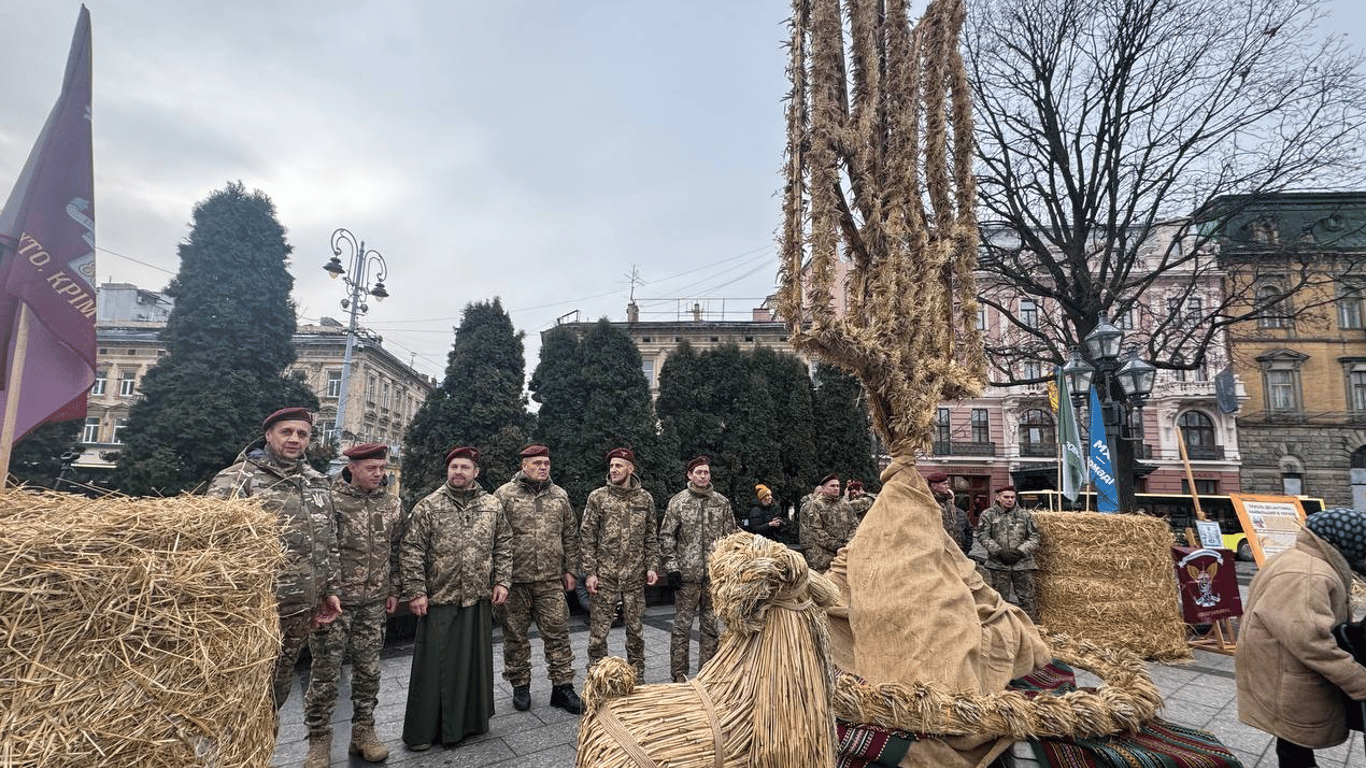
383, 397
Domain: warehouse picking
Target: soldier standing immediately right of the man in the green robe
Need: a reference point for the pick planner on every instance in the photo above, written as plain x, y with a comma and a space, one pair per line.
546, 553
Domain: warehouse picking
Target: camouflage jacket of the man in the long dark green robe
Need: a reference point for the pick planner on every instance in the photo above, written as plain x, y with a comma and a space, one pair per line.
457, 546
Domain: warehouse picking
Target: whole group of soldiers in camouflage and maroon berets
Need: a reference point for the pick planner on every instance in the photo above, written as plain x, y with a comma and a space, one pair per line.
464, 558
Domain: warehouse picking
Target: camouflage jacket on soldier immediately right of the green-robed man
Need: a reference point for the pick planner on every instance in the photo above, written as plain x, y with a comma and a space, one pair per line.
546, 540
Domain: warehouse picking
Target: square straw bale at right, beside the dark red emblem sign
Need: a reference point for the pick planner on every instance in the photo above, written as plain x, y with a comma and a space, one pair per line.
1110, 580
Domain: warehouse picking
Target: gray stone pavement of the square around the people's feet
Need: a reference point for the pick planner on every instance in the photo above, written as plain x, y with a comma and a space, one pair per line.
1200, 695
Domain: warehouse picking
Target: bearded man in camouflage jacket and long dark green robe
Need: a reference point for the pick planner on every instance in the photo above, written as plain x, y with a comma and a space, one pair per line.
456, 558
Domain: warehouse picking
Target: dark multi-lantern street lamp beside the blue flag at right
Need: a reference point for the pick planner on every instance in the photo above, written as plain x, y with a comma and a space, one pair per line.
1122, 389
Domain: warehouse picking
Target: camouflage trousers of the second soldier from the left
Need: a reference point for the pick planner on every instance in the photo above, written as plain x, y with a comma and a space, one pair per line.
357, 635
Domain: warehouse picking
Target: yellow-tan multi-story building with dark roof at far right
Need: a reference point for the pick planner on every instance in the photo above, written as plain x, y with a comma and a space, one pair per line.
1302, 426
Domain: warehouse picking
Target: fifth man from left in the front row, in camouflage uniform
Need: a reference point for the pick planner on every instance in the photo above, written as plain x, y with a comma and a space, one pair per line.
621, 557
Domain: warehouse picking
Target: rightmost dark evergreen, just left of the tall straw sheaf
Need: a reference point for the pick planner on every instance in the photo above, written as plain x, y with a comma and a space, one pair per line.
844, 430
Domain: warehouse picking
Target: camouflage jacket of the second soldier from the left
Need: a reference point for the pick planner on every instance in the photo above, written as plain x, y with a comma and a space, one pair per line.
368, 536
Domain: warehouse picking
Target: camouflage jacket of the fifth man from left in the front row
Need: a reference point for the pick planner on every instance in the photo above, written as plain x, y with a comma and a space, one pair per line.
618, 536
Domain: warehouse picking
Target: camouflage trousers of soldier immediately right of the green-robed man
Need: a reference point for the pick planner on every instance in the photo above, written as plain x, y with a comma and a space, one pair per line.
544, 602
